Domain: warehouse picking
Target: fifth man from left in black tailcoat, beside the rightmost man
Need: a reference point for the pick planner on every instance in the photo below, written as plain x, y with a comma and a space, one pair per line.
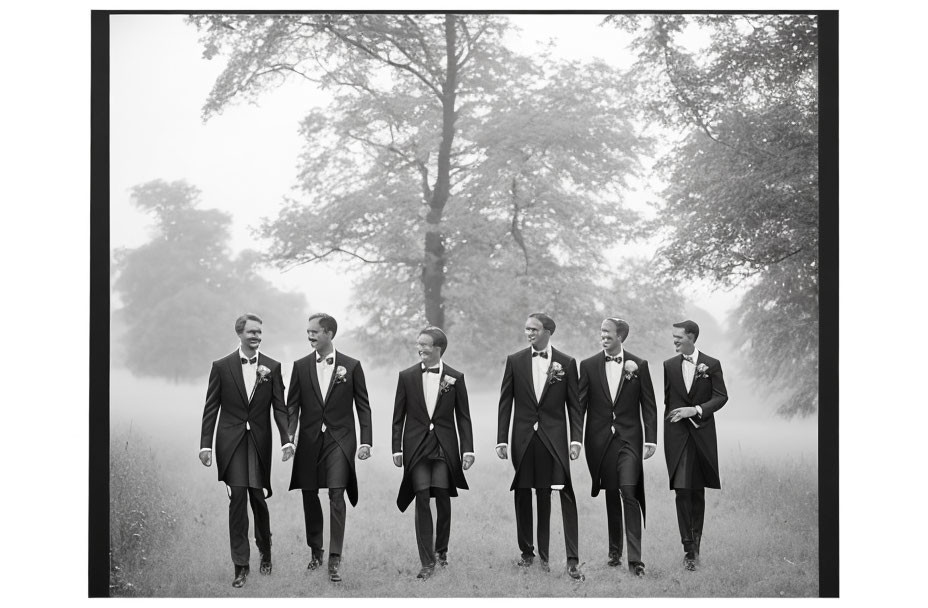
617, 397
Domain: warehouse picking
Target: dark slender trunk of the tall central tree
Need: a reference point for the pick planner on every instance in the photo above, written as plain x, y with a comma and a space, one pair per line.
433, 268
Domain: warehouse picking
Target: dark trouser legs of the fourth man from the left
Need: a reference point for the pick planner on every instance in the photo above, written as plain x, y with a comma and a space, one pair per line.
523, 504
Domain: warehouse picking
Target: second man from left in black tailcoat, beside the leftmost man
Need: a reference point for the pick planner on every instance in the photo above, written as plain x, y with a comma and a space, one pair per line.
323, 387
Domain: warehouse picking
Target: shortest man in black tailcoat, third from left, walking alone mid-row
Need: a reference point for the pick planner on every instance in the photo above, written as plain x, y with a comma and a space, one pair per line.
430, 398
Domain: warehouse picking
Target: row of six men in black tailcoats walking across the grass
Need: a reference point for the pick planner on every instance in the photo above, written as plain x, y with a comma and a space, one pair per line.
544, 399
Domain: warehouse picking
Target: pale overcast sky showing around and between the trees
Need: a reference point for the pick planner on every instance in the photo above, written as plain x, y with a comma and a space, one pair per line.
245, 159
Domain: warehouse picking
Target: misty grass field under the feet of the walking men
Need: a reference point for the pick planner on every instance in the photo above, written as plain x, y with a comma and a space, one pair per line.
760, 537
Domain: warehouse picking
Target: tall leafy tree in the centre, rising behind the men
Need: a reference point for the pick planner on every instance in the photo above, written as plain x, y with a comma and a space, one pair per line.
467, 185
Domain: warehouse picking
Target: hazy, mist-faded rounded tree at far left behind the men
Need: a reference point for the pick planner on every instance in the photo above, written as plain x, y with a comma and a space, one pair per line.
182, 291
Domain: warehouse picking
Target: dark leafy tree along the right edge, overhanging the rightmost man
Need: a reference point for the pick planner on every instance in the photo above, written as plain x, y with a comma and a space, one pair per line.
742, 203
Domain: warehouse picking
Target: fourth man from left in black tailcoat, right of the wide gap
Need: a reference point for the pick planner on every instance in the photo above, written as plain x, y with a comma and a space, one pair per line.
542, 383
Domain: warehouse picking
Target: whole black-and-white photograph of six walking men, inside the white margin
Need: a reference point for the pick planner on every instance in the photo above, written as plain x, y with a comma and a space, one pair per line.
471, 304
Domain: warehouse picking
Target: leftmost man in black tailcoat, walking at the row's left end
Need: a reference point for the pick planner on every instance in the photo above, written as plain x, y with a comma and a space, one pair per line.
243, 389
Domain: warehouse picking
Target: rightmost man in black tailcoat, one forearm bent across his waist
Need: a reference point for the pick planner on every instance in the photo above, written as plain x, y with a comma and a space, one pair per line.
694, 390
